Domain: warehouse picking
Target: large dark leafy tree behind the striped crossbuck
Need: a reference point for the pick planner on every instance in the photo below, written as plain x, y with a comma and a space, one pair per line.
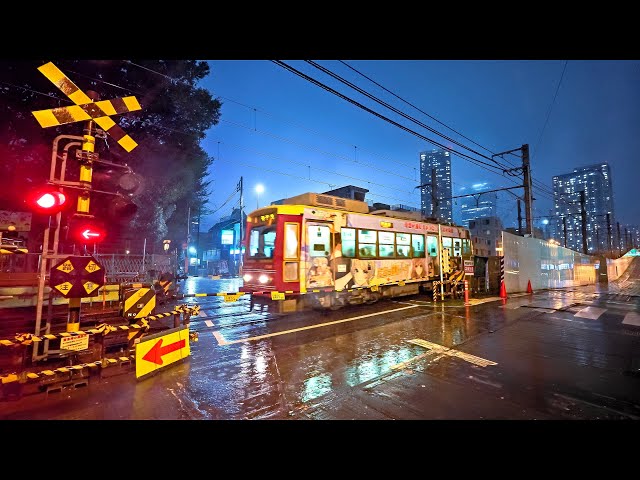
175, 115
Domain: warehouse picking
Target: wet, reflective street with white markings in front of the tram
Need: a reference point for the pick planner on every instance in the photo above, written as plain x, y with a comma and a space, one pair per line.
570, 354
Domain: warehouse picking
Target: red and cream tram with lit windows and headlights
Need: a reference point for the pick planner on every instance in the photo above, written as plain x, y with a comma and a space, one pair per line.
321, 251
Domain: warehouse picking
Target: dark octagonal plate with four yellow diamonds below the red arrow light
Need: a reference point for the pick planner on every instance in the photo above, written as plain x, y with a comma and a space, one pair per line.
77, 276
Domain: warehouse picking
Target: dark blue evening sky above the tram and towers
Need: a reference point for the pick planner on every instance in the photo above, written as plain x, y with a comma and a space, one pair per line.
292, 136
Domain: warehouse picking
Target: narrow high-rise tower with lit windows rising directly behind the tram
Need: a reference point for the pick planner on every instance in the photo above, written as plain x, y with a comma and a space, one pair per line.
436, 163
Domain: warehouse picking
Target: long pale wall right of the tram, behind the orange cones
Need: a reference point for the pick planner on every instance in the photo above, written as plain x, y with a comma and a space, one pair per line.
544, 264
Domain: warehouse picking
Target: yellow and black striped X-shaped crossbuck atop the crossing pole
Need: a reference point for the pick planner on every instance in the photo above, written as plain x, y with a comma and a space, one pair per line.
85, 108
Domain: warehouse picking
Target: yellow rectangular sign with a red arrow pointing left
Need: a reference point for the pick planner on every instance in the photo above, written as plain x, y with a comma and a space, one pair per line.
162, 349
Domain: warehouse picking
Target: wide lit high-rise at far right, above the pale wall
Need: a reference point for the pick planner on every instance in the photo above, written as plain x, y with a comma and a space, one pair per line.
595, 182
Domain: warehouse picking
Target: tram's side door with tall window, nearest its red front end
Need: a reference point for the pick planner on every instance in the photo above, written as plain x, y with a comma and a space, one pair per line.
319, 249
